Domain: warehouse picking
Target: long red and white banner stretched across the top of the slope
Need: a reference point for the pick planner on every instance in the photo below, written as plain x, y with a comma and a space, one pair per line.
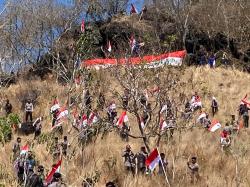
151, 61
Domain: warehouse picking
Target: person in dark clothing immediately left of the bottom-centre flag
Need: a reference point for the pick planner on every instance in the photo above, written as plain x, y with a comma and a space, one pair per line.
141, 160
